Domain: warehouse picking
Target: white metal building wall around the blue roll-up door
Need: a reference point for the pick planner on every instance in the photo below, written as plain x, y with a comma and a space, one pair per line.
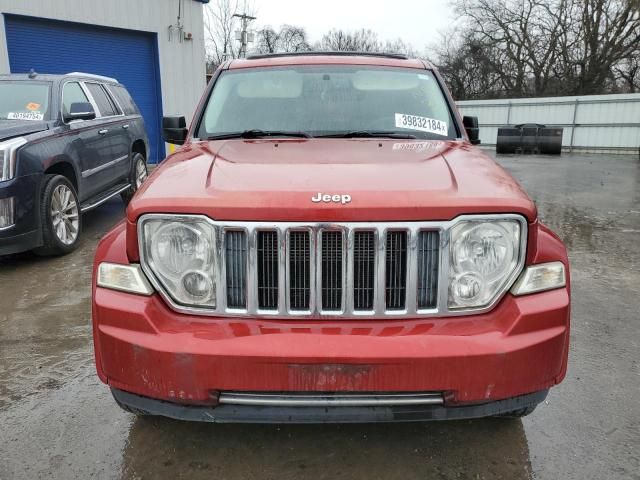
182, 64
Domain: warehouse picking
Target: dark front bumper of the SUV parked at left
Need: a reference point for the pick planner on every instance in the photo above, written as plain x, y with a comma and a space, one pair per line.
25, 233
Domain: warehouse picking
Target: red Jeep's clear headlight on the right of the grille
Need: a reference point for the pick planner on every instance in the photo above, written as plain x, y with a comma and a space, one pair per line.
485, 257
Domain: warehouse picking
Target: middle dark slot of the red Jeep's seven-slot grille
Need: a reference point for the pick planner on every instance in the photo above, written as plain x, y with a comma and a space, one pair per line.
332, 270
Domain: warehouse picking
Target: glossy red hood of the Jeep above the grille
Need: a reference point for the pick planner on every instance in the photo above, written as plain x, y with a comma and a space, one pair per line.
274, 180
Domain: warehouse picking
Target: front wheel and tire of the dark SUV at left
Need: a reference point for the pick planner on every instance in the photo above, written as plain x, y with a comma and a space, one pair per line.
60, 216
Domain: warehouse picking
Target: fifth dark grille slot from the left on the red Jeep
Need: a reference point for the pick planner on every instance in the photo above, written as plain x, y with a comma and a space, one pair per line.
364, 264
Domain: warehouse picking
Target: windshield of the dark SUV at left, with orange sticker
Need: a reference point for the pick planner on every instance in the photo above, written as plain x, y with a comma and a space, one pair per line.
24, 100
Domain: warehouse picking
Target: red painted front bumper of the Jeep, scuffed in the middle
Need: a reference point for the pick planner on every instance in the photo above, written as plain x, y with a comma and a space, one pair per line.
144, 348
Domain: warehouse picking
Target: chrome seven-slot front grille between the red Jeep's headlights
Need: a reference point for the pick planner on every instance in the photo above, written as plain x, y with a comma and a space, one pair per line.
350, 270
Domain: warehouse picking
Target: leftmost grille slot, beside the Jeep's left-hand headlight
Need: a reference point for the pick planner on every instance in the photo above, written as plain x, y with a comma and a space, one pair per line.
236, 268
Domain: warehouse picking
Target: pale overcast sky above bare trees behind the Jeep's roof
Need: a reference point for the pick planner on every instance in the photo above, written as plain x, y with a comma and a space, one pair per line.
417, 22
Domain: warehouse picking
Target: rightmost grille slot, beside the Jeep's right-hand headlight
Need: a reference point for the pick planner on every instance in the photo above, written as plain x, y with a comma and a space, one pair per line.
428, 255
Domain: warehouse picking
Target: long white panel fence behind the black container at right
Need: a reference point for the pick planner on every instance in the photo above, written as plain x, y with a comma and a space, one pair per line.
591, 123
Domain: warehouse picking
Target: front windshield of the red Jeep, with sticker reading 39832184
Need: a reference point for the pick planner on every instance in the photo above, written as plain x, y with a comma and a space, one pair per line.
328, 100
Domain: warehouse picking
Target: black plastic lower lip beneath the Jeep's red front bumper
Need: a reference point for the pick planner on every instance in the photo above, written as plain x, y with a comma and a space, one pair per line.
251, 414
